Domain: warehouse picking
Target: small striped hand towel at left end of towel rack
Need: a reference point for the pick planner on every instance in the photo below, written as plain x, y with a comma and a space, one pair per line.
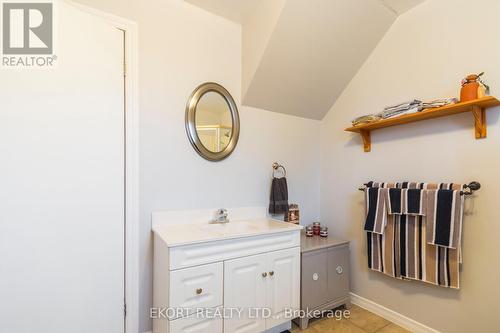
376, 211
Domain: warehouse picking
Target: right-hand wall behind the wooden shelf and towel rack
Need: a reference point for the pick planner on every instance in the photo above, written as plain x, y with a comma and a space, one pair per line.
425, 54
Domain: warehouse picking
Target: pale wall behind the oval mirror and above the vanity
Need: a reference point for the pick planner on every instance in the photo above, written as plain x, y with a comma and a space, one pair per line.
181, 46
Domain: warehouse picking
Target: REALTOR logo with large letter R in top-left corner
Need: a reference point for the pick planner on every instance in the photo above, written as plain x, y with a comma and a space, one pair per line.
27, 34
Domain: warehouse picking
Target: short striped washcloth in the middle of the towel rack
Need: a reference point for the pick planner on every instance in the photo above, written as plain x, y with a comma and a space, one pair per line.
408, 201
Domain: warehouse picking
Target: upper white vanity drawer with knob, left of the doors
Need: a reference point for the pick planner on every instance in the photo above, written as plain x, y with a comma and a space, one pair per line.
196, 287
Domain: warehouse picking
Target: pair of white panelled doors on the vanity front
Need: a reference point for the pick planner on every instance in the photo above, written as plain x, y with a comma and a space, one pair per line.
266, 281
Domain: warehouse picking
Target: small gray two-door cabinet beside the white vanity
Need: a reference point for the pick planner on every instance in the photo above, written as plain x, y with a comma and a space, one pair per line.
324, 275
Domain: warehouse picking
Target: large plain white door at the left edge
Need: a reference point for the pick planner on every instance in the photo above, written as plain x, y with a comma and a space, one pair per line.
62, 185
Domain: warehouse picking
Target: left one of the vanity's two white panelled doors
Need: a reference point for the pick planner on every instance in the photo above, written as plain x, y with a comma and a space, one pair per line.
245, 288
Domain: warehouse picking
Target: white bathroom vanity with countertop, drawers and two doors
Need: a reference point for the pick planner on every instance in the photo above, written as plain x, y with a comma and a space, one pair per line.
254, 276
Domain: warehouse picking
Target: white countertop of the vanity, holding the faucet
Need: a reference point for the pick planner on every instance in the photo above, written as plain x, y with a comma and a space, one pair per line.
184, 234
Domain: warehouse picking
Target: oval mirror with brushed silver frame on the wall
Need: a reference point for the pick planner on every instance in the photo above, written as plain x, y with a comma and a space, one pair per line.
212, 121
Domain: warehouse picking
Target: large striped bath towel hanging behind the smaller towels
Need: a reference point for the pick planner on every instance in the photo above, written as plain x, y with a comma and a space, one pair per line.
402, 250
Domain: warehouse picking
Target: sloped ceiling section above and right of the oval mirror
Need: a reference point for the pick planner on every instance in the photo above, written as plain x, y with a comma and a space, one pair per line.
299, 55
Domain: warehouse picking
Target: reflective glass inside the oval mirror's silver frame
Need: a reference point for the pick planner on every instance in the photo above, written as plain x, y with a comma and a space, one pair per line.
213, 120
